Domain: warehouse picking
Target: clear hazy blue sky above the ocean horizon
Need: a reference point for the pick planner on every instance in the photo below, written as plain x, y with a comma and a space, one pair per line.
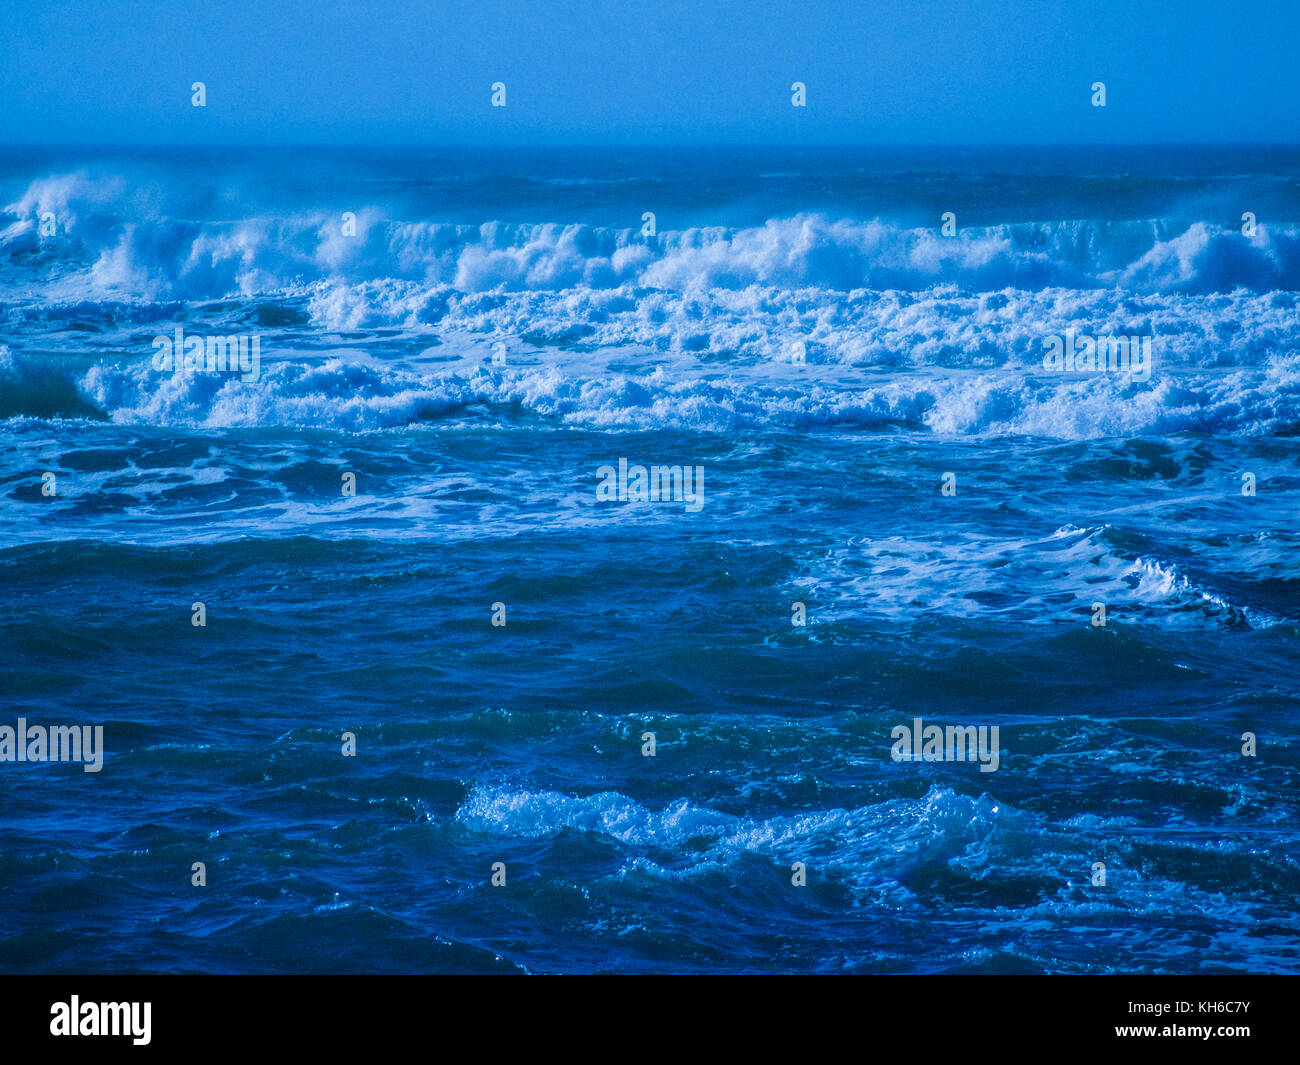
612, 72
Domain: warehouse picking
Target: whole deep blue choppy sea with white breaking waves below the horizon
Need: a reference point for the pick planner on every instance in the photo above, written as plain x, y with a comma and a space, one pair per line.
497, 331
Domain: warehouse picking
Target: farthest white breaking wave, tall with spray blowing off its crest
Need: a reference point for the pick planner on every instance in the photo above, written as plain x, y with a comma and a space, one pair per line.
122, 241
